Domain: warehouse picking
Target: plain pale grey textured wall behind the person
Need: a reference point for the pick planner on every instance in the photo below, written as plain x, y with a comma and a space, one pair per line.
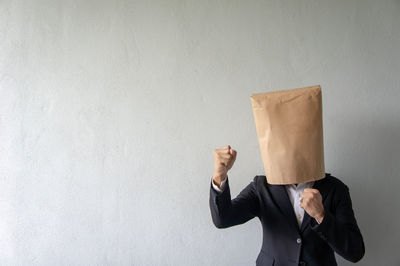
110, 110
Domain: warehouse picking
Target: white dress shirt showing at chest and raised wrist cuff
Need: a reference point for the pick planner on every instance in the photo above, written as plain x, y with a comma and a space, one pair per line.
294, 193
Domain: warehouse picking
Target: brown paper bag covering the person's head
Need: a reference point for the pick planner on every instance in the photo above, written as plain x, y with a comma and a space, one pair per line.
289, 129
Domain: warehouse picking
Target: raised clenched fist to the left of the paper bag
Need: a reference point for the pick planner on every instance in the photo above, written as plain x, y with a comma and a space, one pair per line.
223, 161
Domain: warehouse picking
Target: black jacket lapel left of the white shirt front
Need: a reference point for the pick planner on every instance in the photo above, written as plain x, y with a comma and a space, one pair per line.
281, 197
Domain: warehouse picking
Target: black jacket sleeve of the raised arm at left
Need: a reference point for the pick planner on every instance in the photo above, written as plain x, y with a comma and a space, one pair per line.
226, 212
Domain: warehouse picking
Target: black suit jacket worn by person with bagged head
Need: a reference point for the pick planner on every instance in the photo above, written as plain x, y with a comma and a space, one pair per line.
284, 243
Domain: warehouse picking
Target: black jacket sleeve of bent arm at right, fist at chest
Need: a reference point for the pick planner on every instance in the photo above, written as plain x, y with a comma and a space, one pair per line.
340, 229
